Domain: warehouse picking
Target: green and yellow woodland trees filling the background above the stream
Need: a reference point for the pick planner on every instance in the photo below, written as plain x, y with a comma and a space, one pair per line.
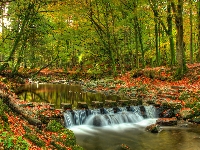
99, 37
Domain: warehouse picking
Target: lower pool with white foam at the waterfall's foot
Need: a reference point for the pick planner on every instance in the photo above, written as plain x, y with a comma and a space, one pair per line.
134, 135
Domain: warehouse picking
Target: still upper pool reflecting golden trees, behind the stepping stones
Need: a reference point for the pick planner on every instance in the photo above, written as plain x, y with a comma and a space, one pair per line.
60, 93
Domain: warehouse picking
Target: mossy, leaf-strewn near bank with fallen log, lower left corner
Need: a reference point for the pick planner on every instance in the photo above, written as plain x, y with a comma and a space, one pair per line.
20, 129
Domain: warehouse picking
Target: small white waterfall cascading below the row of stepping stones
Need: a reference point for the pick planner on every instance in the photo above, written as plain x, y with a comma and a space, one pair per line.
108, 116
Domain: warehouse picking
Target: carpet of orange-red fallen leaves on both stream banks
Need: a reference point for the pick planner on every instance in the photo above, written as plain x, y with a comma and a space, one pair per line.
154, 83
